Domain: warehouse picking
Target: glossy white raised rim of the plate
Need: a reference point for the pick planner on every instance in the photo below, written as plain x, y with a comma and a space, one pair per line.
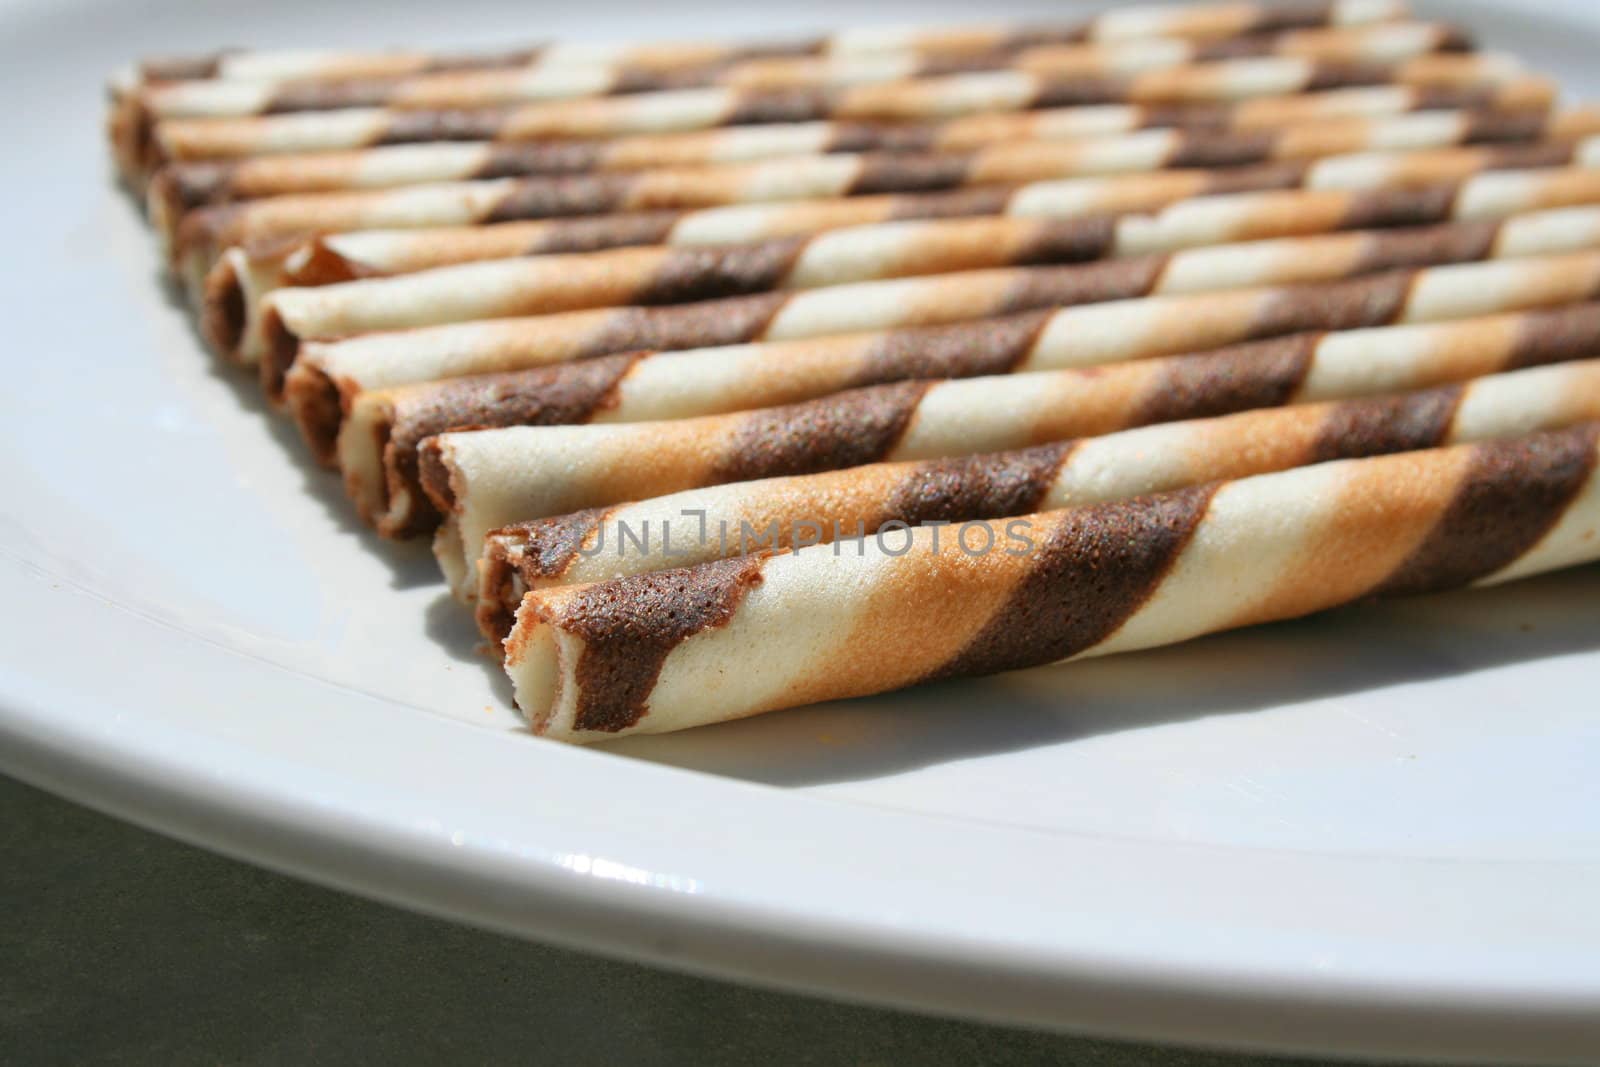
570, 877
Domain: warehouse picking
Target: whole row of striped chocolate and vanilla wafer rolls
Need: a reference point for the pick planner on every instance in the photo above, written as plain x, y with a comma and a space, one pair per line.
730, 378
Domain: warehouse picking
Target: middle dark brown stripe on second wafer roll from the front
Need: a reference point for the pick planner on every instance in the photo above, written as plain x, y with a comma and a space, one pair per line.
978, 487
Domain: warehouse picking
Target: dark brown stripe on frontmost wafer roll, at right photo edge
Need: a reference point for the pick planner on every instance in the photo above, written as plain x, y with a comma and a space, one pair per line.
1511, 497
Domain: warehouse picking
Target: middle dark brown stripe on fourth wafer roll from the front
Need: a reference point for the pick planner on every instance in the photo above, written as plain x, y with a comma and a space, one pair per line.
990, 346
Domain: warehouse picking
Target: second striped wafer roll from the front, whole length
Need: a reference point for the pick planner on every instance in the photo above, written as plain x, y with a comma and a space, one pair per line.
719, 522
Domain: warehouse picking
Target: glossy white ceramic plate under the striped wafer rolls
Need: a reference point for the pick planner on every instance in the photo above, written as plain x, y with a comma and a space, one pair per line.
1370, 833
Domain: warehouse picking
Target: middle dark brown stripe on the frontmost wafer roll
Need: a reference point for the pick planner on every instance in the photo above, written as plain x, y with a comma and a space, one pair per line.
1090, 575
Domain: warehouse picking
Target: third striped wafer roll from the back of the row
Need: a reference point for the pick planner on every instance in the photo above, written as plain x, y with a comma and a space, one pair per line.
894, 102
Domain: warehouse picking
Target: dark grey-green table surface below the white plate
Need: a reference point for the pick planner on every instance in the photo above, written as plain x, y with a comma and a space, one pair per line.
121, 946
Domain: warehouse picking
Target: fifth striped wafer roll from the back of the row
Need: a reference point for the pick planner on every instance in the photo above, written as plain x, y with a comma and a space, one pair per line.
202, 234
